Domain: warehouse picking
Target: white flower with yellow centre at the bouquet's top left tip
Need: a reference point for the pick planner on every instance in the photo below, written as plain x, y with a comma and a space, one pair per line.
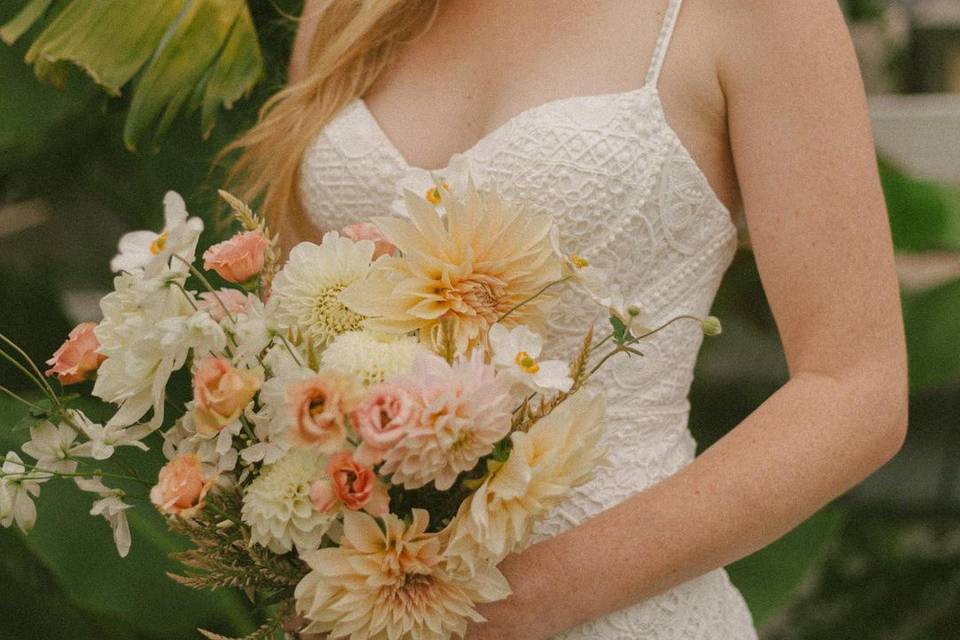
152, 252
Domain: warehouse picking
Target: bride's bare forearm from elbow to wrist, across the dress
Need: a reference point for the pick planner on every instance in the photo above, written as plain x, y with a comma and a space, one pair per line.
812, 440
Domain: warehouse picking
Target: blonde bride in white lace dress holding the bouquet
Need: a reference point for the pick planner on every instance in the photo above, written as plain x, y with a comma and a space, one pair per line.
642, 127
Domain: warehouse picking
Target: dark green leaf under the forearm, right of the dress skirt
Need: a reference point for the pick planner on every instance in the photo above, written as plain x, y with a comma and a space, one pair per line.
769, 578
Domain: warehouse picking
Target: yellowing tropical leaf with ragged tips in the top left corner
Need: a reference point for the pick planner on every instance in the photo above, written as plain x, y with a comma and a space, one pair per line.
189, 54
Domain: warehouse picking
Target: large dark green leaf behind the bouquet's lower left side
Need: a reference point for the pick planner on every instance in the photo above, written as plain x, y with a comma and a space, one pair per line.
79, 553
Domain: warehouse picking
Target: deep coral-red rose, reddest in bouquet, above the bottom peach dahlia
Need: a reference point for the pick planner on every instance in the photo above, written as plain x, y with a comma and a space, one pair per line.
352, 485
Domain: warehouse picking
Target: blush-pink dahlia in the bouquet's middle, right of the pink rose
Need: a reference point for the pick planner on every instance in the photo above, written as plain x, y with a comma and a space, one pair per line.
464, 412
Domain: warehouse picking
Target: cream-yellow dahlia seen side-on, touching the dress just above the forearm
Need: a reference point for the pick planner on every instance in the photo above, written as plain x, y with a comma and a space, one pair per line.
559, 452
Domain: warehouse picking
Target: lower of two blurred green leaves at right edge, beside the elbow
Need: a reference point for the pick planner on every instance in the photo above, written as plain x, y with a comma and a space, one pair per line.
932, 321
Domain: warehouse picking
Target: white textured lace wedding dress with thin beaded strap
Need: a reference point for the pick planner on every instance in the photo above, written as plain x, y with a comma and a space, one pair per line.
625, 192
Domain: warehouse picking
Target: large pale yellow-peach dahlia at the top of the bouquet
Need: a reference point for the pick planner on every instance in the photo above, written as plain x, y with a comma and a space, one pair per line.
472, 266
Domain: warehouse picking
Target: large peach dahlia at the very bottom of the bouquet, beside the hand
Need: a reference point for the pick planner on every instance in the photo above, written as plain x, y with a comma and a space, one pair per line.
391, 584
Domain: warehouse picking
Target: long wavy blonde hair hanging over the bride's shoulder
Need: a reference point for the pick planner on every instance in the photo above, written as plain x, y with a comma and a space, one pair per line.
353, 42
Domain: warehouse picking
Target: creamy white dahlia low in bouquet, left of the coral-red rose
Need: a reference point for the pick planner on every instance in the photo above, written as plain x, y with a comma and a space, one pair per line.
277, 504
